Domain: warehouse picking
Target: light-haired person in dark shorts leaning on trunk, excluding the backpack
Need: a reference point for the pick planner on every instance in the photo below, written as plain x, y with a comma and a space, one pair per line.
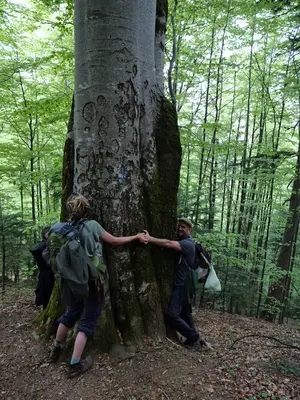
87, 311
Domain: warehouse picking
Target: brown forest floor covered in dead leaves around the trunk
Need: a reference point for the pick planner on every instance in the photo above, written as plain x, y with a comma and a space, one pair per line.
240, 367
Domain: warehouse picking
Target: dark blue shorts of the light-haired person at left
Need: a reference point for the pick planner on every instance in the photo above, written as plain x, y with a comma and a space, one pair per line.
88, 311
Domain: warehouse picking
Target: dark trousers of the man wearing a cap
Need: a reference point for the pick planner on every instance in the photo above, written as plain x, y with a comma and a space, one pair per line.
178, 315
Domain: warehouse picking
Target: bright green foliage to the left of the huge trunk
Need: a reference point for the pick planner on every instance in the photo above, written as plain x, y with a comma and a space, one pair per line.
36, 89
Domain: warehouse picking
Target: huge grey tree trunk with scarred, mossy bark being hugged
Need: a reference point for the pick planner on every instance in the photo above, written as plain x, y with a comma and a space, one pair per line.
127, 154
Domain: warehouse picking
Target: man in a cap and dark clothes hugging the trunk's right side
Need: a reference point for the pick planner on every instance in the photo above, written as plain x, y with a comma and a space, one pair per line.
178, 315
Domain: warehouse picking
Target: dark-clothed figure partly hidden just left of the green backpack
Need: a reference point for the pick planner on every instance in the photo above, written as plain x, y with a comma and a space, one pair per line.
45, 283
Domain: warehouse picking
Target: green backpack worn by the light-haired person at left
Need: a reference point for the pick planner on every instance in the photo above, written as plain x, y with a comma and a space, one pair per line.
72, 267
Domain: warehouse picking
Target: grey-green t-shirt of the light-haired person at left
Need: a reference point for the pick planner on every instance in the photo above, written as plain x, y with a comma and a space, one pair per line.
90, 238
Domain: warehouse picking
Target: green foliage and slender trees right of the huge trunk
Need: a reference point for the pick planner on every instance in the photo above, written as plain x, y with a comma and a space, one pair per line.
236, 82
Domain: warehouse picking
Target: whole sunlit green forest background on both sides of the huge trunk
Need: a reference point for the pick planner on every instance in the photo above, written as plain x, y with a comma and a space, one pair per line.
232, 73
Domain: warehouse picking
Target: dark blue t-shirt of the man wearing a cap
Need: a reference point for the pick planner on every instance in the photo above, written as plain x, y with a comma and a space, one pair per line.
186, 260
